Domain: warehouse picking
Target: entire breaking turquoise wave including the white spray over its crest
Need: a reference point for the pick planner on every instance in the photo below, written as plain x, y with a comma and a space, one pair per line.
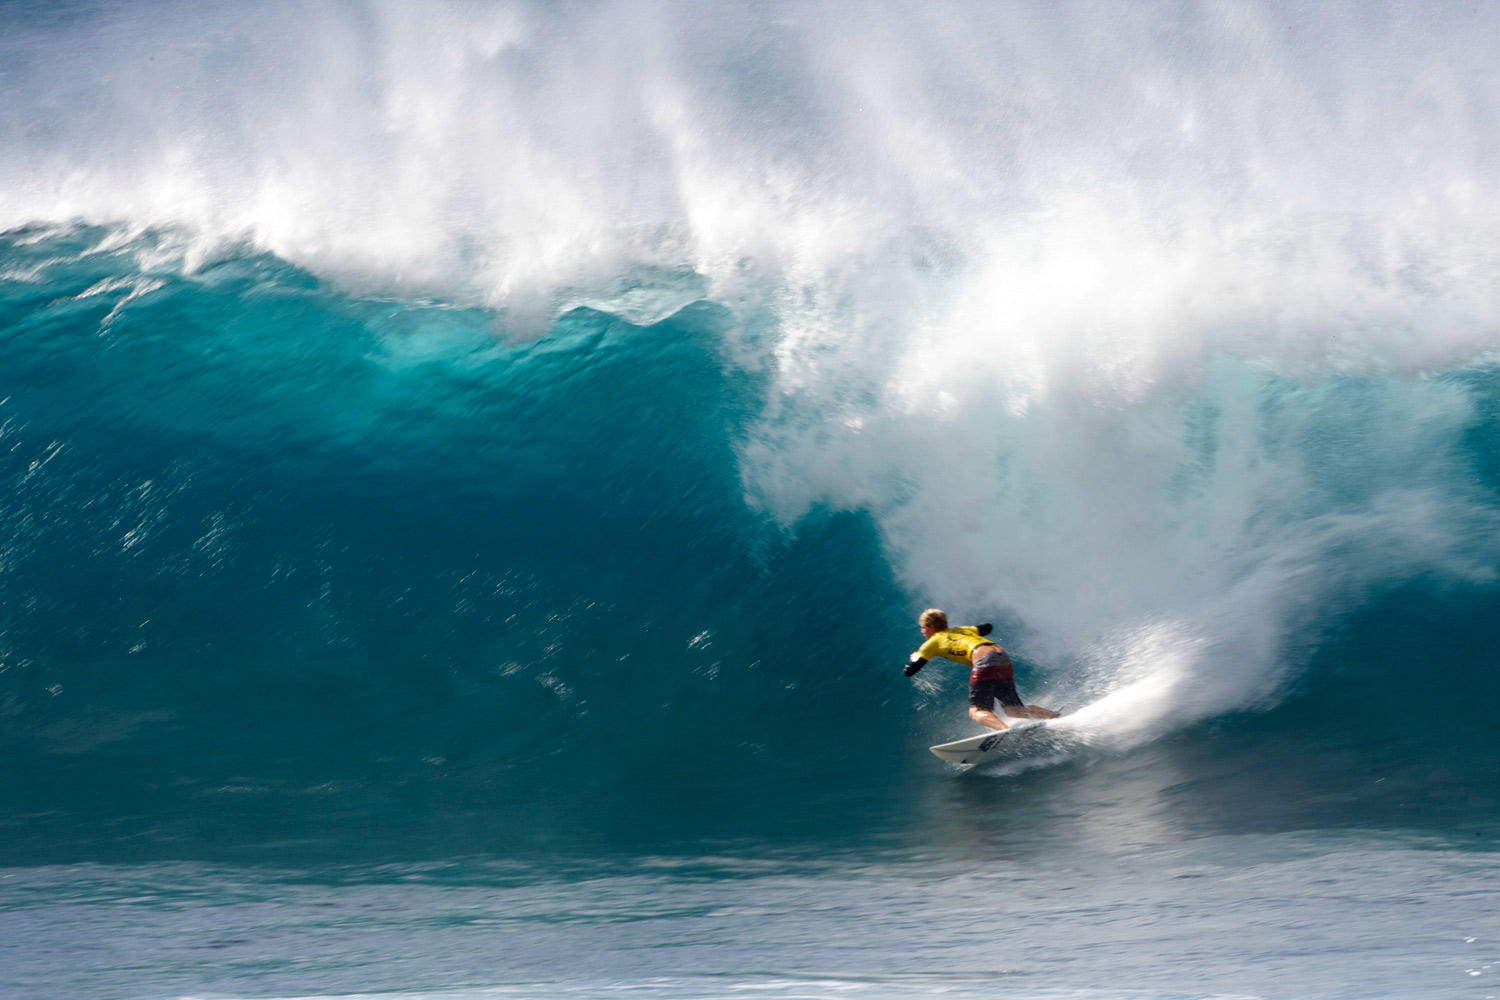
524, 412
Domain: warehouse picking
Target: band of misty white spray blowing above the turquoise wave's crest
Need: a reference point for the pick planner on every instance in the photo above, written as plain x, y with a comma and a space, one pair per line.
1111, 181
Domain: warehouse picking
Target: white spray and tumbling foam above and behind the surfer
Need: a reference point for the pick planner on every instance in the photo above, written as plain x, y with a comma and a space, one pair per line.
1022, 280
